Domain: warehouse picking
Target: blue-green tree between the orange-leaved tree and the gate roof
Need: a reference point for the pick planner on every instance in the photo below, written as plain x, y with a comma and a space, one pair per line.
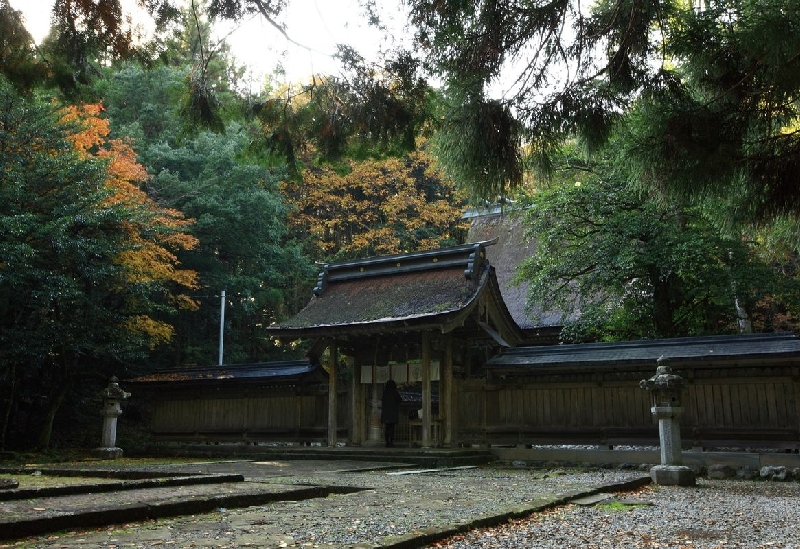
240, 220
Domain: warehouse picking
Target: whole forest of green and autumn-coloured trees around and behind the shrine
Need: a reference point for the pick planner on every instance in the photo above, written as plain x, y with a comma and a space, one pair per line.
650, 148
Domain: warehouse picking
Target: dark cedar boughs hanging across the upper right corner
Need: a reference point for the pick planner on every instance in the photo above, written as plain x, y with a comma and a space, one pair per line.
713, 87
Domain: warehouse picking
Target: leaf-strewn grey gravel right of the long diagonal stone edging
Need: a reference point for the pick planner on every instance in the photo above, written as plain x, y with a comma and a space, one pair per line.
717, 514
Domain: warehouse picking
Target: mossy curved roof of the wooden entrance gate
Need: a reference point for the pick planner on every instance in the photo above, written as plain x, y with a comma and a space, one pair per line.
434, 289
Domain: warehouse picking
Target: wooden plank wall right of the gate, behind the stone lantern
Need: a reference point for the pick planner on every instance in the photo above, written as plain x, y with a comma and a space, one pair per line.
723, 407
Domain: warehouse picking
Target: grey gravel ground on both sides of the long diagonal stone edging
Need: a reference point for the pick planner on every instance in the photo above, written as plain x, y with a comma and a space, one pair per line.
397, 507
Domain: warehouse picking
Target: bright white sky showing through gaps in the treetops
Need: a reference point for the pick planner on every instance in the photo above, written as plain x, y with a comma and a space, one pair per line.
318, 25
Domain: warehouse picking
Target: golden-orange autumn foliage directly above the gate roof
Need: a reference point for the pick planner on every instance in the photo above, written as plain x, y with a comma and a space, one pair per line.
379, 207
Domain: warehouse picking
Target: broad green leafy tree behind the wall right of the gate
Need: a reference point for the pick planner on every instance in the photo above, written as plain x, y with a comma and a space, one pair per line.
623, 267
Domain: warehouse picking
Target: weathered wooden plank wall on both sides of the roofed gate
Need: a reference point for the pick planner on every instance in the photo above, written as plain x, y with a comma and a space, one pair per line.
723, 407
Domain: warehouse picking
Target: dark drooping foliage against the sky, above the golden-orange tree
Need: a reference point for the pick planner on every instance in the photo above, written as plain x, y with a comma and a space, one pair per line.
369, 112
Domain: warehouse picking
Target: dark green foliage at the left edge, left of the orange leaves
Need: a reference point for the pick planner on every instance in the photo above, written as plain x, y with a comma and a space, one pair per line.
57, 244
